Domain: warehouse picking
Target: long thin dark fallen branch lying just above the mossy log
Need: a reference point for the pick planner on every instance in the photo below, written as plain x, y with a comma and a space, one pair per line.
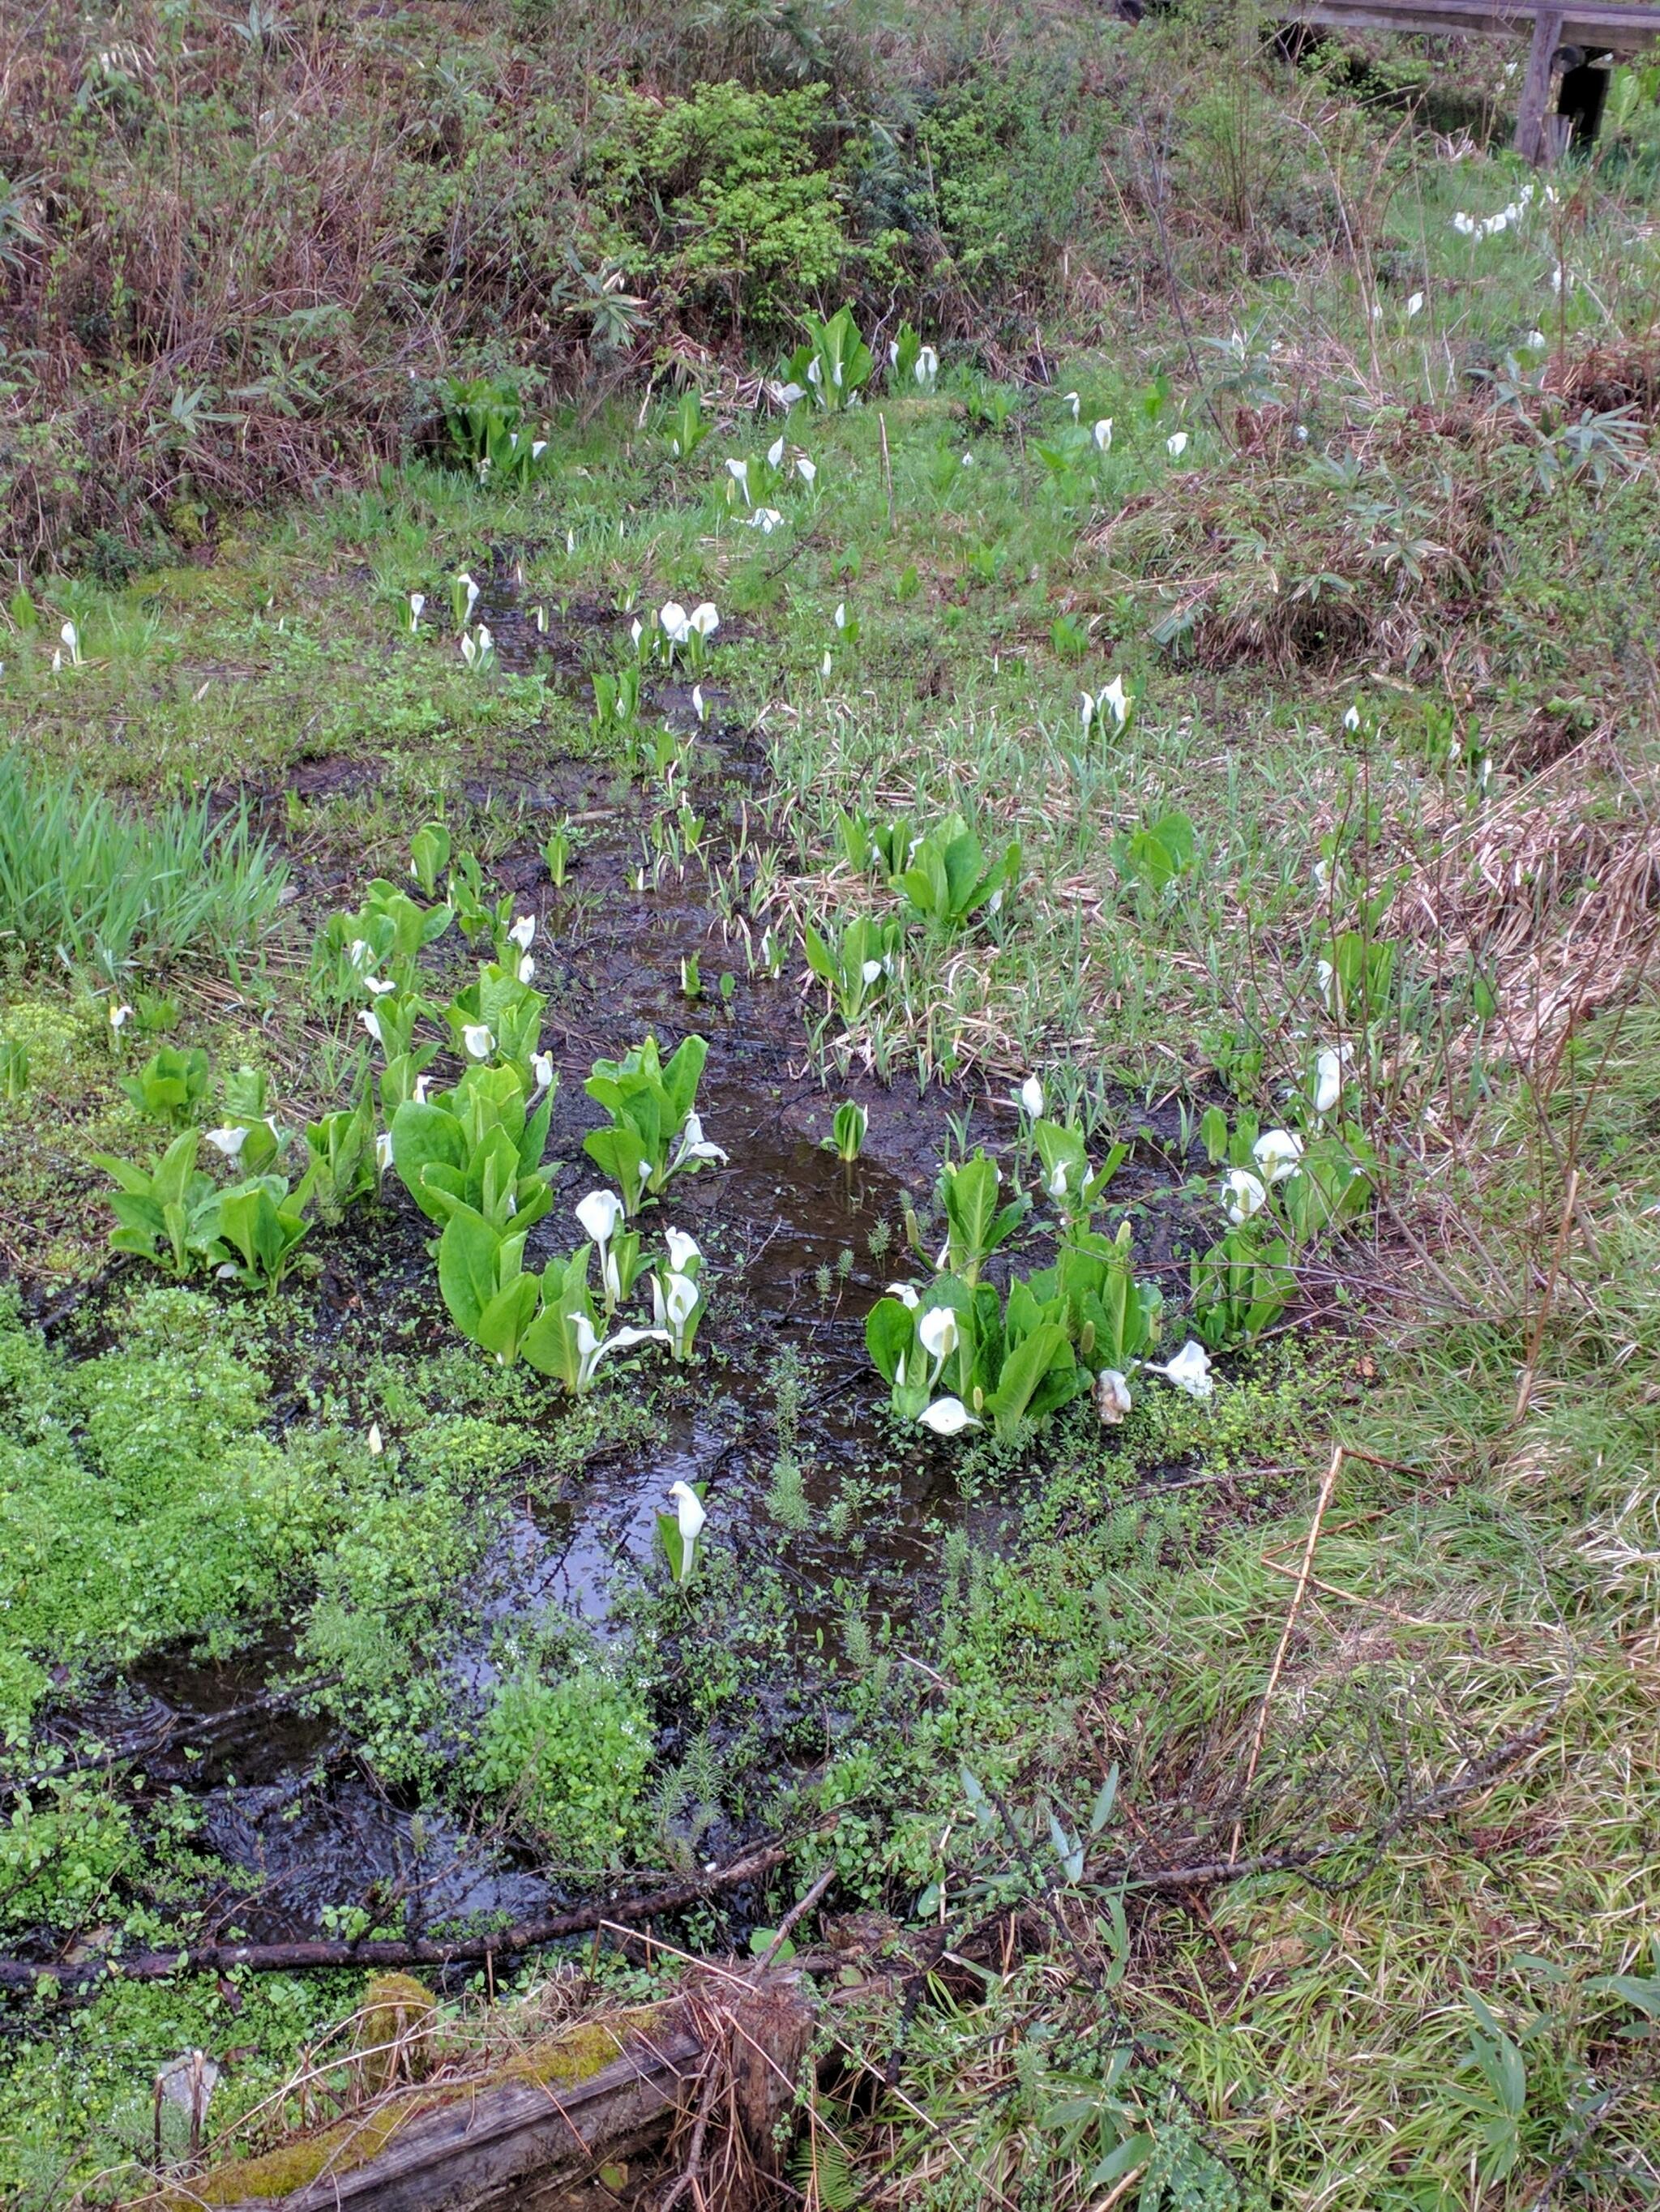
391, 1952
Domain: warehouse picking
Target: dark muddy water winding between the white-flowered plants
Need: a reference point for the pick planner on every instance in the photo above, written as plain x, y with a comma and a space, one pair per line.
789, 1235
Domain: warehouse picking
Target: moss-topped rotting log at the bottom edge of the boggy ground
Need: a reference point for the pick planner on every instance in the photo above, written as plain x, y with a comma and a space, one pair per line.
535, 2131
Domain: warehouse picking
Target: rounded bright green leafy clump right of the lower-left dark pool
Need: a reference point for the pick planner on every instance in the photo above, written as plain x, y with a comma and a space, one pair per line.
572, 1760
